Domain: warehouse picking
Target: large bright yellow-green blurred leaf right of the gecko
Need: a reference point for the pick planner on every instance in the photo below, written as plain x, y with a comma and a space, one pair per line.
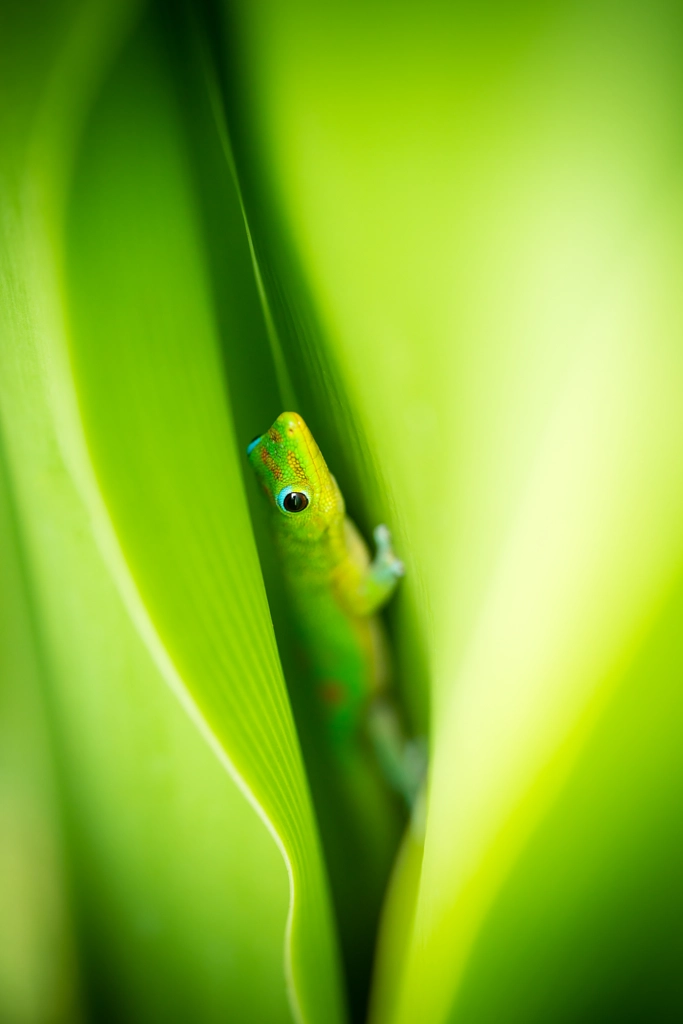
484, 203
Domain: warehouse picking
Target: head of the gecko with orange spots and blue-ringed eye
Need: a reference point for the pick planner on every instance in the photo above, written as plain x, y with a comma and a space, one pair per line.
294, 476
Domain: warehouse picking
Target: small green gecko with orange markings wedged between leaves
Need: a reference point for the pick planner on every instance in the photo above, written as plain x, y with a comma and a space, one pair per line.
335, 592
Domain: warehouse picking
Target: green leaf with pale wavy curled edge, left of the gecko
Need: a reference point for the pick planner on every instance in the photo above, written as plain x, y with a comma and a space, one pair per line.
166, 696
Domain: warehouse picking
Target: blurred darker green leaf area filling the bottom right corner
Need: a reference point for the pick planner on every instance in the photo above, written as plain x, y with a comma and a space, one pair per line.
599, 886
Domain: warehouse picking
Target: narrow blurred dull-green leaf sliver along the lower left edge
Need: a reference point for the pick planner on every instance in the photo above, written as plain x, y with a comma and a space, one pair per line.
38, 971
